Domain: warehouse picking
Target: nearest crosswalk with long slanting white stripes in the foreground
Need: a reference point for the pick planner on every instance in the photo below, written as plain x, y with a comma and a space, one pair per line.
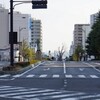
23, 93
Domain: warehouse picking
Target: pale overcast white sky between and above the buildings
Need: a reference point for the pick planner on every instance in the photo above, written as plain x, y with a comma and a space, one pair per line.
59, 18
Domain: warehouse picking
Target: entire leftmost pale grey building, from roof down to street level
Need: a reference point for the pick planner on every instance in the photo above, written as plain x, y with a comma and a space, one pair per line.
4, 33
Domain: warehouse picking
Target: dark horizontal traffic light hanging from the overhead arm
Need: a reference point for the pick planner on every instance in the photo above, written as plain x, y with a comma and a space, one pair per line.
39, 4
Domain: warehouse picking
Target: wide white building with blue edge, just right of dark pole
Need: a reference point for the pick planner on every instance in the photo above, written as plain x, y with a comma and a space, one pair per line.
21, 25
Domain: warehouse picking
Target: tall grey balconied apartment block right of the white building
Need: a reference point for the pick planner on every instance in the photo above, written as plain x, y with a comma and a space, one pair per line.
36, 33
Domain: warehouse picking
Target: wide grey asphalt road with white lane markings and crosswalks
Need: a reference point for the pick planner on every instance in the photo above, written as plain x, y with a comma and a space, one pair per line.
52, 80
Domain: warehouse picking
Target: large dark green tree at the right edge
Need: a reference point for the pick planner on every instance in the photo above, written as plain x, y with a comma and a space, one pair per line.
93, 40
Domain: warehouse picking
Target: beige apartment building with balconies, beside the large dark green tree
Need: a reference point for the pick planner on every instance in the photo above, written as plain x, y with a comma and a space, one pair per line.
80, 34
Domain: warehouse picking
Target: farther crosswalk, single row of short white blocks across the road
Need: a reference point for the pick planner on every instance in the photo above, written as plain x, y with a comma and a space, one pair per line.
49, 76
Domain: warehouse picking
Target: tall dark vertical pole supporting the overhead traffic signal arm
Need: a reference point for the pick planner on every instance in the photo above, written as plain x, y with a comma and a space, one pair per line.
11, 34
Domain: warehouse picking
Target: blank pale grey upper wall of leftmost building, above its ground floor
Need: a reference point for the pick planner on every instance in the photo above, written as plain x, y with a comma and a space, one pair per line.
4, 28
